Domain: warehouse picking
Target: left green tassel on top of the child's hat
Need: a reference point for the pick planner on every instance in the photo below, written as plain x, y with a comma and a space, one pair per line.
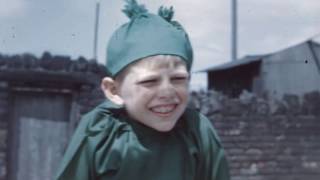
132, 9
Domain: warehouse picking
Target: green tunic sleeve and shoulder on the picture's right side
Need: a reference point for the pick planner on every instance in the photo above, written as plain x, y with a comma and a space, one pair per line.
213, 163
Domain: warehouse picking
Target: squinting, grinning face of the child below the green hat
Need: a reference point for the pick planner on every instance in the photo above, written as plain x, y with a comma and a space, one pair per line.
155, 91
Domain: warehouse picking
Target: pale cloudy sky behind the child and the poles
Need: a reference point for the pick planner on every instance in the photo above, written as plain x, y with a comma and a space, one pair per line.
65, 27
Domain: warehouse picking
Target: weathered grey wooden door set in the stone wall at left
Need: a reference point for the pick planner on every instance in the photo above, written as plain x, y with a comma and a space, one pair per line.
38, 134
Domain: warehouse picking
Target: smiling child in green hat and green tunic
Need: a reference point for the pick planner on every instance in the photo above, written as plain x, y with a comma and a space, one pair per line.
145, 130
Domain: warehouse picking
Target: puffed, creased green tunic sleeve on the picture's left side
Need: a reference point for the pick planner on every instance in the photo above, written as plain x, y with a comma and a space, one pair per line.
92, 151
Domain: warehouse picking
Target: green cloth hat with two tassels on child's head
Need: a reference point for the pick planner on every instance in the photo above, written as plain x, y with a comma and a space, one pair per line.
147, 35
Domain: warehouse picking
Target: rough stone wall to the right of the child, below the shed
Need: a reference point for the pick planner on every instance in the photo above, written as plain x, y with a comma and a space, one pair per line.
267, 139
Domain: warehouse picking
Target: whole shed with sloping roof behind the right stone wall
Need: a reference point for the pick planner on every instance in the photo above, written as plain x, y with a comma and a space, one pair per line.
293, 70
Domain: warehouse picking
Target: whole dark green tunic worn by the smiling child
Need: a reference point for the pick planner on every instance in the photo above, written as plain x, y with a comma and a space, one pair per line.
108, 145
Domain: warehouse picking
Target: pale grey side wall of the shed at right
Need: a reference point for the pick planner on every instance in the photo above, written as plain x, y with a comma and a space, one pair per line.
291, 71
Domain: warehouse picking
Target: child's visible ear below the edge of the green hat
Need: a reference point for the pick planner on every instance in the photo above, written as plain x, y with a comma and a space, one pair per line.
109, 89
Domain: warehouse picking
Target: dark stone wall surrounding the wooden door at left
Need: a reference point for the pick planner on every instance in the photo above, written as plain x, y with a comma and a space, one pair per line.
25, 73
